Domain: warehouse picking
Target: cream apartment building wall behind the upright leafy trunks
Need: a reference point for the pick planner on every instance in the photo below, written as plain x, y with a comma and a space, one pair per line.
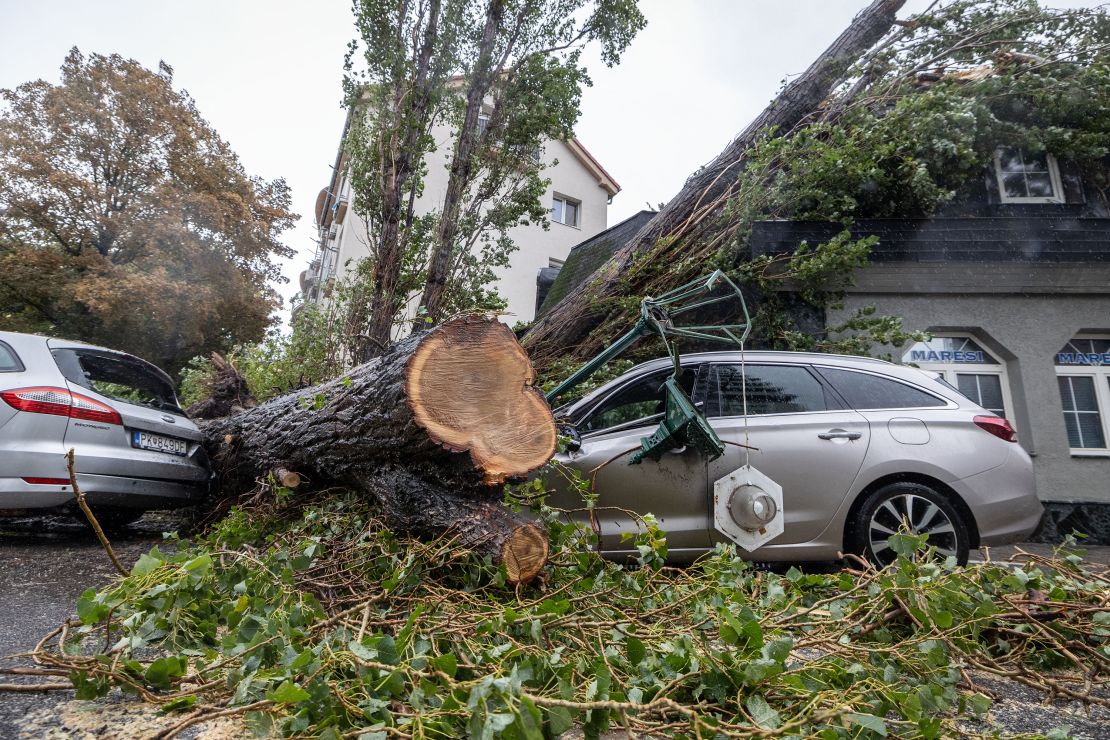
537, 247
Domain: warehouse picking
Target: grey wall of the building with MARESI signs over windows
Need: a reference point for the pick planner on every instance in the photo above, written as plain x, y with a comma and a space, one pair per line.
1024, 330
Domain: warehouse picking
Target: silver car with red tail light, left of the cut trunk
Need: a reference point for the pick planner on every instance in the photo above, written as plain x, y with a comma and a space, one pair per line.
135, 450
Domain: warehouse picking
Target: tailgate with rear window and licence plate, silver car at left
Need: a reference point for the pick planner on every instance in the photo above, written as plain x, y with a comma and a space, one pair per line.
145, 401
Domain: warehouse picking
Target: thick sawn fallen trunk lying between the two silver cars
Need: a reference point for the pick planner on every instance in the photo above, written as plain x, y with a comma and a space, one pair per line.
431, 430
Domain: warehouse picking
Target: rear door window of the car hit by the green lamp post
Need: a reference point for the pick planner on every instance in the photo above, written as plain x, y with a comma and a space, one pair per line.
771, 390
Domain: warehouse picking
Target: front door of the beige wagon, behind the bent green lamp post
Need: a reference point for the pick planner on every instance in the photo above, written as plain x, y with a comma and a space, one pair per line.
673, 490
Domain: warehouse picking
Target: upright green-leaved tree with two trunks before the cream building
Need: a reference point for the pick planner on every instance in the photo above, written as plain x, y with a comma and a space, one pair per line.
506, 76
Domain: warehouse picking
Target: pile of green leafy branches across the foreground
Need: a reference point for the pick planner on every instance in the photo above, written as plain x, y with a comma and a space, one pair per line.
307, 617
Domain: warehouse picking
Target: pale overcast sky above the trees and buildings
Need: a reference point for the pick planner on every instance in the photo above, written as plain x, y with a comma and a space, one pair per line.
267, 75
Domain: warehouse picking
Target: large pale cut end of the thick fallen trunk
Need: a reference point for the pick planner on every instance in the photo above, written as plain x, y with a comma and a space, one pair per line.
469, 386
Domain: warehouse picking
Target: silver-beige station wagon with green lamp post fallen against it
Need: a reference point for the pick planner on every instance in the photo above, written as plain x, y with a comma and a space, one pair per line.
860, 447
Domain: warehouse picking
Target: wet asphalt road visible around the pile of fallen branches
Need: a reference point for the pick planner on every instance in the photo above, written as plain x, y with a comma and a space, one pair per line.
46, 564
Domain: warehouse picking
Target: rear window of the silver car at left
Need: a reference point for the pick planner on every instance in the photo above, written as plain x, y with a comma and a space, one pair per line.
119, 378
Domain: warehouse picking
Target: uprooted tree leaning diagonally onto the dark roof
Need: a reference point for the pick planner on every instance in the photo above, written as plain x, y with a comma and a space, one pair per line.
895, 119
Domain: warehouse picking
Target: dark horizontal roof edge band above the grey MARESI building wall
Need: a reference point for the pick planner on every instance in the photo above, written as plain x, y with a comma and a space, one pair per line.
1052, 239
